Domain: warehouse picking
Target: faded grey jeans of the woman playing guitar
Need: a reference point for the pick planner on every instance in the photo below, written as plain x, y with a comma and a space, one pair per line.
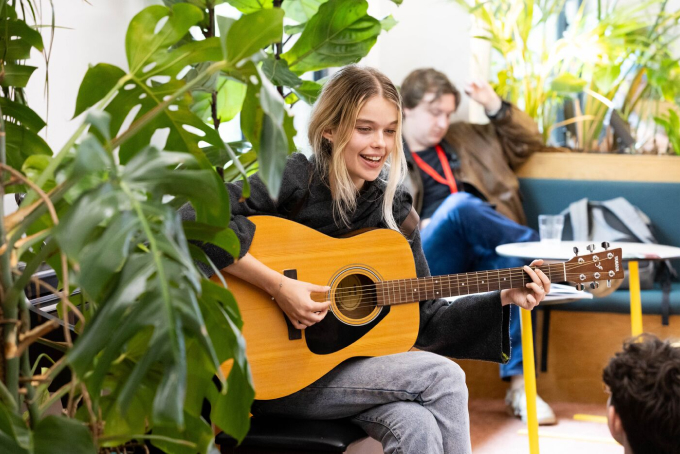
414, 402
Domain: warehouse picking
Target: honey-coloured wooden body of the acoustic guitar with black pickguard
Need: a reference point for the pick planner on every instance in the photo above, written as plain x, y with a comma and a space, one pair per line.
356, 325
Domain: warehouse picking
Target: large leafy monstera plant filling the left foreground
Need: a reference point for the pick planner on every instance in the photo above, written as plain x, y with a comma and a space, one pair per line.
151, 331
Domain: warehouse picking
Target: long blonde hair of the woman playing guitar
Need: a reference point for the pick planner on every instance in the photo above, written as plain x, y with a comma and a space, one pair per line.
337, 108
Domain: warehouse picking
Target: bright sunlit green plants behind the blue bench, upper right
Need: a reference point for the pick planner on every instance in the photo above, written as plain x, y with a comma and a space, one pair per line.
608, 50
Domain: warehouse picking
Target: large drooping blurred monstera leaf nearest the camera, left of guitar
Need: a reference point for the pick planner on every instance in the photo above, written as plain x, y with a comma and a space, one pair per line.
135, 265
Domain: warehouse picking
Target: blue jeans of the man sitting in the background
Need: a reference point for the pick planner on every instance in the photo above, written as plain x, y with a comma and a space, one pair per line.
462, 237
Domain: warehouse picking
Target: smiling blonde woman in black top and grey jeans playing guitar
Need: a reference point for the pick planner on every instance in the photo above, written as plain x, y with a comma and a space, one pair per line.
414, 402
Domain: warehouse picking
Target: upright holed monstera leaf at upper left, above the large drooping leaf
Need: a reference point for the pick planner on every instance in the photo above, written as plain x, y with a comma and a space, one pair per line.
153, 69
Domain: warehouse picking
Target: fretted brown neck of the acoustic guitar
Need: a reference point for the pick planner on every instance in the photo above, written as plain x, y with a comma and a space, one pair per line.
419, 289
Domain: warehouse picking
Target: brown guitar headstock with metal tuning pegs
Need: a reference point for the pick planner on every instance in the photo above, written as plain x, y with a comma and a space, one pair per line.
596, 266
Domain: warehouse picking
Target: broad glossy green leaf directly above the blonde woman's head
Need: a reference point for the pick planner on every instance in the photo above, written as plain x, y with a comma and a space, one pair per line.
339, 33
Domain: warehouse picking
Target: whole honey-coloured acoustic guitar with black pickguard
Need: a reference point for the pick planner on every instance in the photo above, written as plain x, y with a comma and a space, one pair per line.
374, 294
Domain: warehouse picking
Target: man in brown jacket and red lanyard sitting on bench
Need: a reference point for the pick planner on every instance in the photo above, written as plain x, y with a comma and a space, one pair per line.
462, 179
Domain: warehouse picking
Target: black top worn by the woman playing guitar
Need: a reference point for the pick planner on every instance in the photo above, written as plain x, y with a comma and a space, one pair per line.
471, 327
